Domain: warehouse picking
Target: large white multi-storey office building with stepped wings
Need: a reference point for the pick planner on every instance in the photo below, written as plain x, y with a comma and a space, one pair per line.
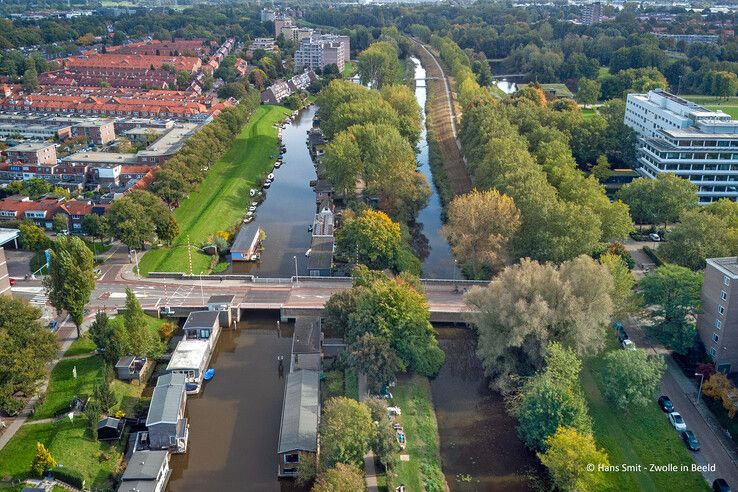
683, 138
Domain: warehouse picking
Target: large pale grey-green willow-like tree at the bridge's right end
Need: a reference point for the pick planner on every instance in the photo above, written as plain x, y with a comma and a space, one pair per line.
530, 305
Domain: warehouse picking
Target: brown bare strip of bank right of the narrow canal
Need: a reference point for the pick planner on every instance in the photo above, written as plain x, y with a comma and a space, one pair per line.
441, 121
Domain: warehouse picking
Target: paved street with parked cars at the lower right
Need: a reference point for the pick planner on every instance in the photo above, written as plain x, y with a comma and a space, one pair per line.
717, 448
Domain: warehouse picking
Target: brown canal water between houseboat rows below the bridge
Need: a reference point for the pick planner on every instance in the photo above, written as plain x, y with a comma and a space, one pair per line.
234, 422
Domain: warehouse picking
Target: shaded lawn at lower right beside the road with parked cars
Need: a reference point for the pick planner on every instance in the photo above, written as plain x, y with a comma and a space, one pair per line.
642, 437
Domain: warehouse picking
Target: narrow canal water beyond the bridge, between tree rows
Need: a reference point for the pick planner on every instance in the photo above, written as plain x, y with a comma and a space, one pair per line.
435, 252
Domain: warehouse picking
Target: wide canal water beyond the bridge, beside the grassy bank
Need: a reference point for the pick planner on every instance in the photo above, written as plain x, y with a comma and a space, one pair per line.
288, 208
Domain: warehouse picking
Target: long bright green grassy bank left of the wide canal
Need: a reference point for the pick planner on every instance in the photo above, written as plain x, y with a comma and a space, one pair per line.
222, 199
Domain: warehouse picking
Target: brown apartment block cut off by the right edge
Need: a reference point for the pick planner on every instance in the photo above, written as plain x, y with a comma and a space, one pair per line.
717, 322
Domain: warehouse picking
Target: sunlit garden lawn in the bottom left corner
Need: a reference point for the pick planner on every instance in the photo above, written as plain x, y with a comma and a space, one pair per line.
71, 446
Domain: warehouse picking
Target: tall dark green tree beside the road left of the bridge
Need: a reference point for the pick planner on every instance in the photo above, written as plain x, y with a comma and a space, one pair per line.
71, 279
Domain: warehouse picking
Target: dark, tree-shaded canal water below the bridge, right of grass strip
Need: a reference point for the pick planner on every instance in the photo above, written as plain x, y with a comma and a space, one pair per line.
480, 448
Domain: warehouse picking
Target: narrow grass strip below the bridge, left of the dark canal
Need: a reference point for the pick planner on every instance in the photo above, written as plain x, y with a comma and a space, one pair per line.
413, 396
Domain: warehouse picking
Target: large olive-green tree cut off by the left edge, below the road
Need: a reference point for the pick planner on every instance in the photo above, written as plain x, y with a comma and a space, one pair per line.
26, 347
